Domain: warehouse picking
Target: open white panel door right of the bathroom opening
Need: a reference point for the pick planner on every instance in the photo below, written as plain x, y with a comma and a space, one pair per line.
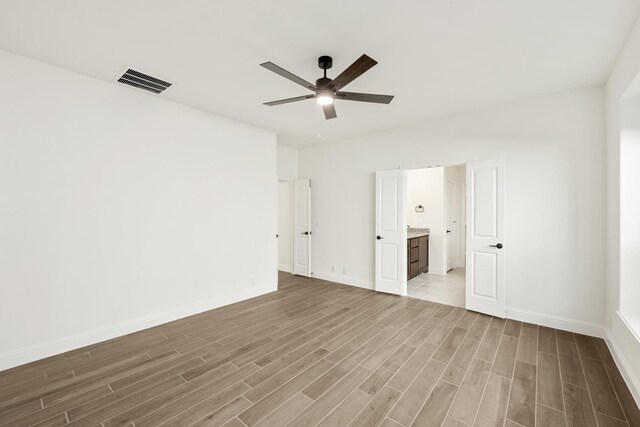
485, 289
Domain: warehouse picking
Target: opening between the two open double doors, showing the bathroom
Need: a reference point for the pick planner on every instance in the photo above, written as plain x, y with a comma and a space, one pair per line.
436, 234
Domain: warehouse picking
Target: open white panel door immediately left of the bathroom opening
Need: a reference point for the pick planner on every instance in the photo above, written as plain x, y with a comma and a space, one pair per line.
391, 232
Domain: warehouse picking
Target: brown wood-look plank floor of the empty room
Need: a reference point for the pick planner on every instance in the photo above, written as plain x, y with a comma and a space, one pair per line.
317, 353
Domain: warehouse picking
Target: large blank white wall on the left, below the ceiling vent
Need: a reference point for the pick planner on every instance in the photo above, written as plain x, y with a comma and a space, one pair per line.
120, 210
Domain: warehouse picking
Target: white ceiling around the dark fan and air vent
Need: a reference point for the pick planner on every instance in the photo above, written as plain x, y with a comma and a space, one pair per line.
438, 57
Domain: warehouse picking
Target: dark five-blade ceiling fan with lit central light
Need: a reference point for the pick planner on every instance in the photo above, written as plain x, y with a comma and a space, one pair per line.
327, 90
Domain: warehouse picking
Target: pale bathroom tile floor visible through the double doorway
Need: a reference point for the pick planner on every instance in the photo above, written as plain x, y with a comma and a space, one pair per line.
447, 289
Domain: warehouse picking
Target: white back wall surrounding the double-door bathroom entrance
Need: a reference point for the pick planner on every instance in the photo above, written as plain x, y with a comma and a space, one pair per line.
554, 148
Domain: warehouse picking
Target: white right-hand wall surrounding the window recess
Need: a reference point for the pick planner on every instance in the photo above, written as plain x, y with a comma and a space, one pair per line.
624, 341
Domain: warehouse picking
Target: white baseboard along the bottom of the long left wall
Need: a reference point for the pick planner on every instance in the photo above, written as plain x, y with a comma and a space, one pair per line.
68, 343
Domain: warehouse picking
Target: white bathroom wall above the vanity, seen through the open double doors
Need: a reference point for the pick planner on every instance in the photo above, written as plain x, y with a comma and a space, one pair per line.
426, 187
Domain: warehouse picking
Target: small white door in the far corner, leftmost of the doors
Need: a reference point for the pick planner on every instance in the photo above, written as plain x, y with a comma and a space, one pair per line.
302, 227
